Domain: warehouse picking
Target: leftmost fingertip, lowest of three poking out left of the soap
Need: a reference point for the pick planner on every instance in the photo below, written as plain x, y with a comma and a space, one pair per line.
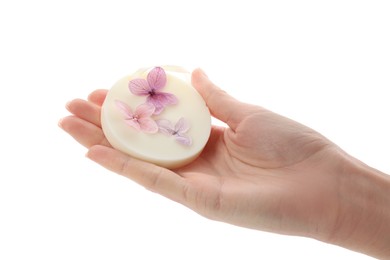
83, 132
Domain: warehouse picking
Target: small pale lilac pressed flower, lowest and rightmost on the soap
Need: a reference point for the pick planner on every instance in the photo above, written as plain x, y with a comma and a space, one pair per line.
178, 131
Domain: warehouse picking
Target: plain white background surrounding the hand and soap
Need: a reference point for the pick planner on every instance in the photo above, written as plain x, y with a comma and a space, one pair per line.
323, 63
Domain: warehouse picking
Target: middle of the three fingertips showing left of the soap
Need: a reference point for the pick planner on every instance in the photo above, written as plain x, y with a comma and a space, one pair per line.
85, 110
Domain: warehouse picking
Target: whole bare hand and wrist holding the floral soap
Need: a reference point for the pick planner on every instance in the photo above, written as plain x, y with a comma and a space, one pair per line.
262, 171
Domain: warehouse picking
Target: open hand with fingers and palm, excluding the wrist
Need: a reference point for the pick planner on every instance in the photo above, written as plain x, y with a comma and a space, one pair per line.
262, 171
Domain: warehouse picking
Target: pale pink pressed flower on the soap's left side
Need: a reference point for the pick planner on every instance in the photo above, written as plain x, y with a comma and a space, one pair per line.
141, 118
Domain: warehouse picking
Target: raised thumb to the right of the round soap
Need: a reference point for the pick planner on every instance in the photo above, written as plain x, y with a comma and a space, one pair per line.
221, 105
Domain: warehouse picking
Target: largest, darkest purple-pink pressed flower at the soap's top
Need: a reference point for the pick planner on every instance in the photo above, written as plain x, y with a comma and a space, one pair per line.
151, 87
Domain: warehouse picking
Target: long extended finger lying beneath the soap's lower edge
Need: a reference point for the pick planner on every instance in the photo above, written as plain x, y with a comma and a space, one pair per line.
152, 177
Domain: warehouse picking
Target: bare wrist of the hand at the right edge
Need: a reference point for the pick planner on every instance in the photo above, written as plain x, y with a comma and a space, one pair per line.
363, 219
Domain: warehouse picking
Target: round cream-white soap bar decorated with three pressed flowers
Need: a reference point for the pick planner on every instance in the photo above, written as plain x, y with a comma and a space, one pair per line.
156, 115
